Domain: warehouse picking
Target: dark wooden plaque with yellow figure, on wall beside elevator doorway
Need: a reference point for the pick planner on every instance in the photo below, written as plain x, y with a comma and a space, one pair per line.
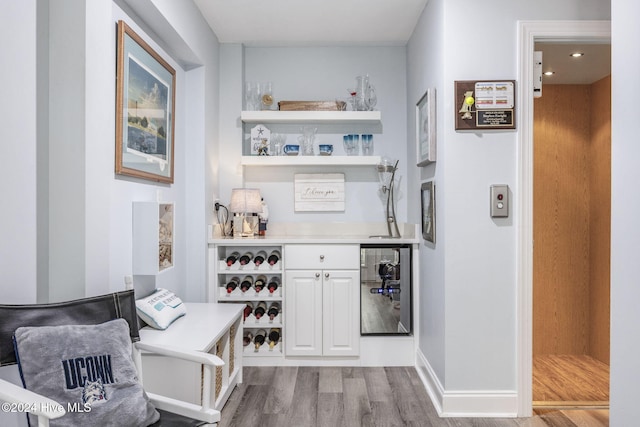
485, 104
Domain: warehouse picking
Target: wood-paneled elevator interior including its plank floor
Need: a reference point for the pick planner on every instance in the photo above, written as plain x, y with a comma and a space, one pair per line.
571, 229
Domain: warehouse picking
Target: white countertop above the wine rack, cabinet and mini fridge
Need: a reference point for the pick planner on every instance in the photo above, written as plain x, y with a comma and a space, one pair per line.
322, 233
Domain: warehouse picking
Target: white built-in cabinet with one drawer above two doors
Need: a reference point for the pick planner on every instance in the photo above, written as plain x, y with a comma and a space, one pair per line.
322, 294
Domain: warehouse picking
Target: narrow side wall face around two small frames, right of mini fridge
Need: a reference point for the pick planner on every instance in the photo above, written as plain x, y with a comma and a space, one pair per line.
425, 69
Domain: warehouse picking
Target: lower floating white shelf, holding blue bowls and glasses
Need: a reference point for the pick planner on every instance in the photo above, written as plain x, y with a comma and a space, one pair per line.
310, 160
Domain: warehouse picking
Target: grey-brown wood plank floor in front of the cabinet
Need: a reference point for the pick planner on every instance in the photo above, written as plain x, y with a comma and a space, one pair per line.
359, 397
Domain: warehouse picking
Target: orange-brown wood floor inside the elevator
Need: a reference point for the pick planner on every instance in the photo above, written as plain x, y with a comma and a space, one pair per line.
563, 381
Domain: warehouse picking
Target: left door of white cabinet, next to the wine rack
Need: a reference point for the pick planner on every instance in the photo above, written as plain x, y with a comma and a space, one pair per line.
303, 313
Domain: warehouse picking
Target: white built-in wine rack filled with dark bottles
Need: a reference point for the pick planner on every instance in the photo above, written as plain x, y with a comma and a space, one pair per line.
229, 269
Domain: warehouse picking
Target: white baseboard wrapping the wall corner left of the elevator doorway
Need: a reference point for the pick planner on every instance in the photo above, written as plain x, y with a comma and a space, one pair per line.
474, 403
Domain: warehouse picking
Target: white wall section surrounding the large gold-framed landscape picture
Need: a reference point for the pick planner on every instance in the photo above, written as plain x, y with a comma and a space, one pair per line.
194, 54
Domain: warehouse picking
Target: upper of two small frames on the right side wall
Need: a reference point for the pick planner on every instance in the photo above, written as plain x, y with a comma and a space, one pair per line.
426, 128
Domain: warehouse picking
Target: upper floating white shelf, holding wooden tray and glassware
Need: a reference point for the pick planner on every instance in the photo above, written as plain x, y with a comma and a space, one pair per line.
312, 117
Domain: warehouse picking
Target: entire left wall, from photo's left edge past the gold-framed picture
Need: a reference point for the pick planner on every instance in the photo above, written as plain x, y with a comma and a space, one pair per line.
81, 208
